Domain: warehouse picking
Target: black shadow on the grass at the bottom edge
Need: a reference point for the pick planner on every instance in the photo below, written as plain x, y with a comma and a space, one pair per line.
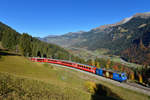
104, 93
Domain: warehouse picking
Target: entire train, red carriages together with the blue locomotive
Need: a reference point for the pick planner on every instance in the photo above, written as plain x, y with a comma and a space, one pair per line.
118, 76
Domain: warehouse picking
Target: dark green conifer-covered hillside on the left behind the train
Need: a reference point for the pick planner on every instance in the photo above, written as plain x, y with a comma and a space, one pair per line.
29, 46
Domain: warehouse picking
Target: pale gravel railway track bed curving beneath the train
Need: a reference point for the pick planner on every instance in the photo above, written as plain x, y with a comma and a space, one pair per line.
127, 85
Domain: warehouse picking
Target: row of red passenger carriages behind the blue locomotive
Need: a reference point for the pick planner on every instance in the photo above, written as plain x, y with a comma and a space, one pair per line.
88, 68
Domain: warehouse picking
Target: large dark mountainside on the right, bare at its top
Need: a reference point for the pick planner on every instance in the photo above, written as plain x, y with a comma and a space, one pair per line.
114, 38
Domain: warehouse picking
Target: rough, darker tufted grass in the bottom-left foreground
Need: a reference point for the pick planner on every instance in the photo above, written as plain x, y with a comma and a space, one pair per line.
16, 88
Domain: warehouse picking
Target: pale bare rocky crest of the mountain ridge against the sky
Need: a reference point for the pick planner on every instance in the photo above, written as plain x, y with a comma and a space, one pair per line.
95, 30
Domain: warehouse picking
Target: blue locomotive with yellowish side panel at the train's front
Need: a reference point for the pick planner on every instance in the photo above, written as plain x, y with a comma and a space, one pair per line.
118, 76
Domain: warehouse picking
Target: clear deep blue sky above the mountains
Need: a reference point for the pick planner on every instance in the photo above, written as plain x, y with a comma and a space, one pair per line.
55, 17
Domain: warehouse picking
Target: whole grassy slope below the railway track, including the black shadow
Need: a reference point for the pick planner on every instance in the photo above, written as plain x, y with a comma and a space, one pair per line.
24, 80
